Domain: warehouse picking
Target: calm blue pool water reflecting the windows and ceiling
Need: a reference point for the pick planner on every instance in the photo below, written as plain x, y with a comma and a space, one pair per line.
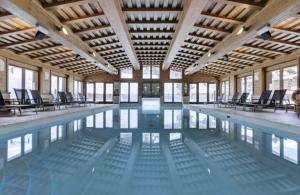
132, 151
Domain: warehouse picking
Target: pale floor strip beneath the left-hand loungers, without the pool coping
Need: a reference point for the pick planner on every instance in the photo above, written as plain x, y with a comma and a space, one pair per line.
27, 117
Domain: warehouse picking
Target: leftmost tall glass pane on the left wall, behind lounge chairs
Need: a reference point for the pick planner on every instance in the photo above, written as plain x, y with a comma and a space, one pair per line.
14, 80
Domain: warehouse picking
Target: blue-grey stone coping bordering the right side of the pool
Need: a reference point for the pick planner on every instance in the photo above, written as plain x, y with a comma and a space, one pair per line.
285, 128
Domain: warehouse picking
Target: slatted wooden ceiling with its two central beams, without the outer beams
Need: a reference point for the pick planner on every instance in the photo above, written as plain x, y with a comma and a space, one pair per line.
130, 33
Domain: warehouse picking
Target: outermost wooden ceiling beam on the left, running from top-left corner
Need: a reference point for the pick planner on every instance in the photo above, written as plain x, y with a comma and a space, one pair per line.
32, 12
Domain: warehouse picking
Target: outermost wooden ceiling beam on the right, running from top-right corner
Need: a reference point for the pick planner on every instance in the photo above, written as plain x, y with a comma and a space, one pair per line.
273, 13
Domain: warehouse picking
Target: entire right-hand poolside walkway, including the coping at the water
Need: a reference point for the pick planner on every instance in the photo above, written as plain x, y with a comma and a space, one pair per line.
287, 121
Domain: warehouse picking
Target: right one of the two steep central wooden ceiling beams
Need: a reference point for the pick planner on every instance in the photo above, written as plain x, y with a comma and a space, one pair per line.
189, 16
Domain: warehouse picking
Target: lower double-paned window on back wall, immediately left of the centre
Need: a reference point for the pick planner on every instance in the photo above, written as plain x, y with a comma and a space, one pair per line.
129, 92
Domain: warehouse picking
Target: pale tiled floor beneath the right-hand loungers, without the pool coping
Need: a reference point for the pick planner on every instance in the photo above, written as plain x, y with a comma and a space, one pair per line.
289, 118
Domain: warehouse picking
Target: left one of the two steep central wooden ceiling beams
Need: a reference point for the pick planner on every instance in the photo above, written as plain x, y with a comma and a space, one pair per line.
114, 14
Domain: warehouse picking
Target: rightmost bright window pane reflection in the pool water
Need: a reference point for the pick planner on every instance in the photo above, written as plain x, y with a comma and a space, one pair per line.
290, 150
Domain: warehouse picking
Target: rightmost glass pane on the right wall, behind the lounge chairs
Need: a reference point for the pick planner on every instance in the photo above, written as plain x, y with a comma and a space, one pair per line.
290, 81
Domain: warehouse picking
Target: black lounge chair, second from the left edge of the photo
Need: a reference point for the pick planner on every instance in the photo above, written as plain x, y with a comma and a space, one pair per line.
24, 99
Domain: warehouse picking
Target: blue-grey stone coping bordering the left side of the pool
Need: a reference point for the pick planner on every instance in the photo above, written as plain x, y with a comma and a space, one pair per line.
48, 120
